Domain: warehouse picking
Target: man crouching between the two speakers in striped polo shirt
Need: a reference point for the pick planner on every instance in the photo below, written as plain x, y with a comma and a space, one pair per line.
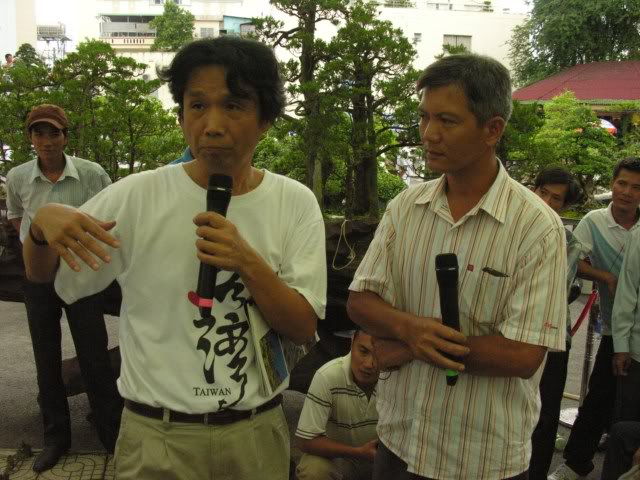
337, 427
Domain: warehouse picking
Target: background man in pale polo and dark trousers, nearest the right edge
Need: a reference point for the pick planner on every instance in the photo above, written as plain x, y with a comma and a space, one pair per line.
603, 234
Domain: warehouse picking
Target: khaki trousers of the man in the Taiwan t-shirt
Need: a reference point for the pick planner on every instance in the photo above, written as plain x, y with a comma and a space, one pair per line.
150, 449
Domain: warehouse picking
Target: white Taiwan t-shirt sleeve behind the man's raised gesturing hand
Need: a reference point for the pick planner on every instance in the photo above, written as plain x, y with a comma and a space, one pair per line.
106, 205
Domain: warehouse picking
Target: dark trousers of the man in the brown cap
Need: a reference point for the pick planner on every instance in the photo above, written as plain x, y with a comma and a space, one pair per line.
86, 322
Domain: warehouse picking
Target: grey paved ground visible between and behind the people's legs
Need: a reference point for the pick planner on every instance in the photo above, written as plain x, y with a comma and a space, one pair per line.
20, 418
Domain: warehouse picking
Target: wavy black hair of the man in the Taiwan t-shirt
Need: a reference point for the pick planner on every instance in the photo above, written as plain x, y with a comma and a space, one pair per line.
246, 62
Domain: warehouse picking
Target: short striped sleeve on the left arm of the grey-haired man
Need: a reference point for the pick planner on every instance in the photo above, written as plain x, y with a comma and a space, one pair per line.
375, 273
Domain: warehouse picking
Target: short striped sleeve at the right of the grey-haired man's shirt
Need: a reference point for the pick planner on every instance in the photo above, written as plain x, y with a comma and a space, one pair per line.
537, 309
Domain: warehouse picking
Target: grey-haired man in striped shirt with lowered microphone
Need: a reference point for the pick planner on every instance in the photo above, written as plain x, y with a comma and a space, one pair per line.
512, 292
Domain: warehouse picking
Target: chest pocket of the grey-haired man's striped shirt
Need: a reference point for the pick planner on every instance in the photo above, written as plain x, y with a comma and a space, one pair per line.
482, 300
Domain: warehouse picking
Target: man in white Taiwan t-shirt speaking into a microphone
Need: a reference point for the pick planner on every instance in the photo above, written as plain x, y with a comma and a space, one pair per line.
194, 406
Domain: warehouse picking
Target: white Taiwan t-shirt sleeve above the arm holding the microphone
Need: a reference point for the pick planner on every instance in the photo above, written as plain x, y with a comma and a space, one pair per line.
304, 264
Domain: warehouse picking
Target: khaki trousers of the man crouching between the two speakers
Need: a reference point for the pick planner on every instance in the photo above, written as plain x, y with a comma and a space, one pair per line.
312, 467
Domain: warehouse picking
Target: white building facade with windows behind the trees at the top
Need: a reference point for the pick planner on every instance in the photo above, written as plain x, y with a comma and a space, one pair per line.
482, 26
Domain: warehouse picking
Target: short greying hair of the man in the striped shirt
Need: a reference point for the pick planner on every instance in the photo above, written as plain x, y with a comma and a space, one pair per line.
485, 81
